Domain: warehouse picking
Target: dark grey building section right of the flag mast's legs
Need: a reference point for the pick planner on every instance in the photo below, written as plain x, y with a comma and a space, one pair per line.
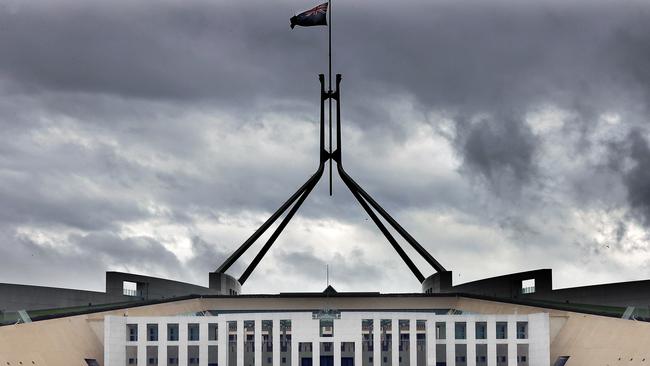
514, 286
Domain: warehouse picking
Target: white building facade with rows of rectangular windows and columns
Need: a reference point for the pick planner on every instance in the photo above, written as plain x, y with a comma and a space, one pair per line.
328, 338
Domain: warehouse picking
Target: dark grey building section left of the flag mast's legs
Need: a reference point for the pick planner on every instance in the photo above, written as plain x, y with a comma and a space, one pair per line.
15, 297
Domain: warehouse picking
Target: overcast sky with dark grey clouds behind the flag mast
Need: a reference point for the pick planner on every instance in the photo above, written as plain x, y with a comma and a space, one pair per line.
155, 136
